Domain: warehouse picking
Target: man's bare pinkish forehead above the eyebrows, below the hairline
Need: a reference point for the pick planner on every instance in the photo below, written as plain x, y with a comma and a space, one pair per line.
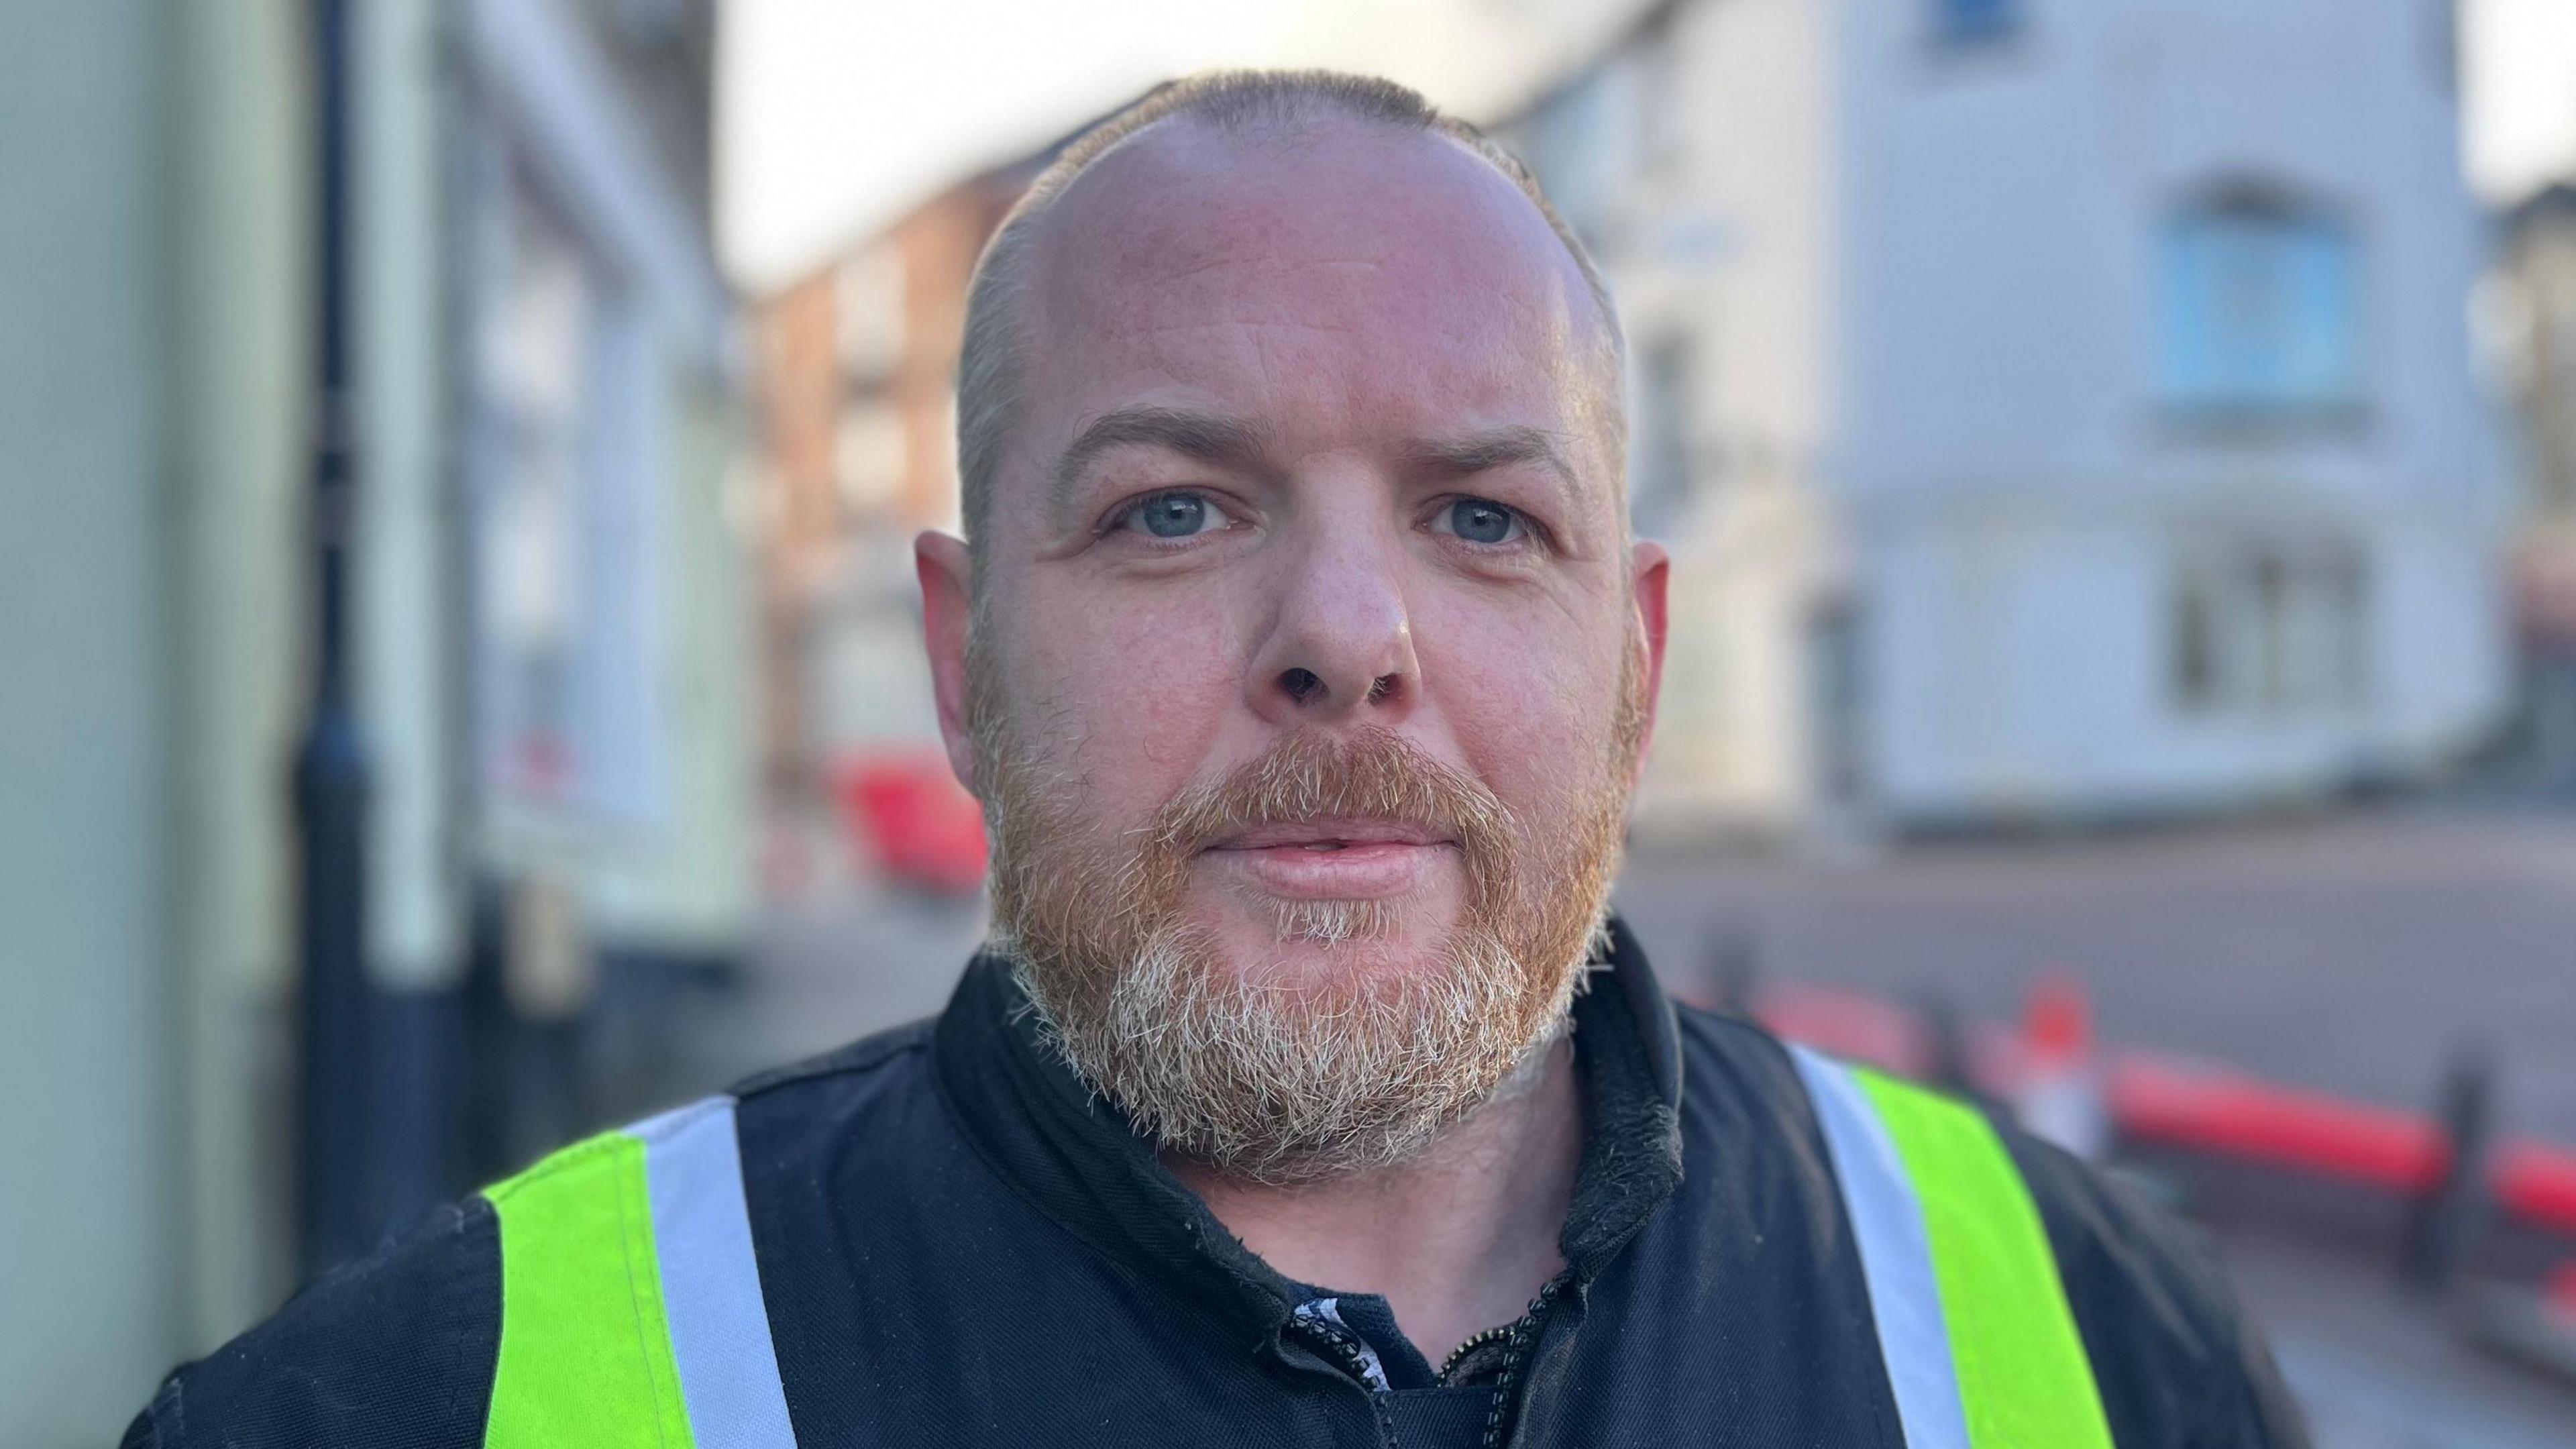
1336, 285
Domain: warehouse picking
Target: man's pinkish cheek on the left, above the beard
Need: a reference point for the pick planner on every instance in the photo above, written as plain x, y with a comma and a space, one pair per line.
1124, 697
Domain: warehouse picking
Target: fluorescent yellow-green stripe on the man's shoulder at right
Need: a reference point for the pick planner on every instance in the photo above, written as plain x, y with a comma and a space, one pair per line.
2023, 1378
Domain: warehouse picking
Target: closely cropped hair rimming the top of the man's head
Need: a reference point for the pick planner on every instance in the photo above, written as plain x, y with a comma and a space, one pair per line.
1235, 102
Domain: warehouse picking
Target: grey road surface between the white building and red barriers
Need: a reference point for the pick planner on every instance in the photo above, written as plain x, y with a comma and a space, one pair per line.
2348, 955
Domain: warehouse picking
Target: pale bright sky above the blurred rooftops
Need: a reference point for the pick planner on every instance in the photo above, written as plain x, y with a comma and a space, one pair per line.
841, 115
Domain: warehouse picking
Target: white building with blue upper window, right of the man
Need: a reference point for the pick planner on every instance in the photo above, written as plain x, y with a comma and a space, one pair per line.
2060, 409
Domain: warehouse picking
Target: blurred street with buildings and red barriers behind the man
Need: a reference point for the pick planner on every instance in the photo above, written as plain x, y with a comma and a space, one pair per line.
460, 656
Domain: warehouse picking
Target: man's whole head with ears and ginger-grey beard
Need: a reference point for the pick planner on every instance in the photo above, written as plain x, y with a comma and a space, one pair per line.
1292, 445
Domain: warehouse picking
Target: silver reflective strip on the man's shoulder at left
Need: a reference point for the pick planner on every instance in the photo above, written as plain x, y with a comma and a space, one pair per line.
720, 1329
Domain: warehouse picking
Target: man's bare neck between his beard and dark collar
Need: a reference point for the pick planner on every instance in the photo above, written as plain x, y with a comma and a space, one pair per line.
1457, 1241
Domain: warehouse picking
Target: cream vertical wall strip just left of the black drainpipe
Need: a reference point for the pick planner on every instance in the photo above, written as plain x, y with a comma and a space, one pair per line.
238, 471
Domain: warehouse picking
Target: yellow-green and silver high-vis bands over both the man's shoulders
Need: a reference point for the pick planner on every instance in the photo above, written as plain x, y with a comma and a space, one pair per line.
632, 1301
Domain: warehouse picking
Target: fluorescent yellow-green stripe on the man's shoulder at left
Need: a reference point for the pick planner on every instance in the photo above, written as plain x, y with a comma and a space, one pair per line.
583, 1342
